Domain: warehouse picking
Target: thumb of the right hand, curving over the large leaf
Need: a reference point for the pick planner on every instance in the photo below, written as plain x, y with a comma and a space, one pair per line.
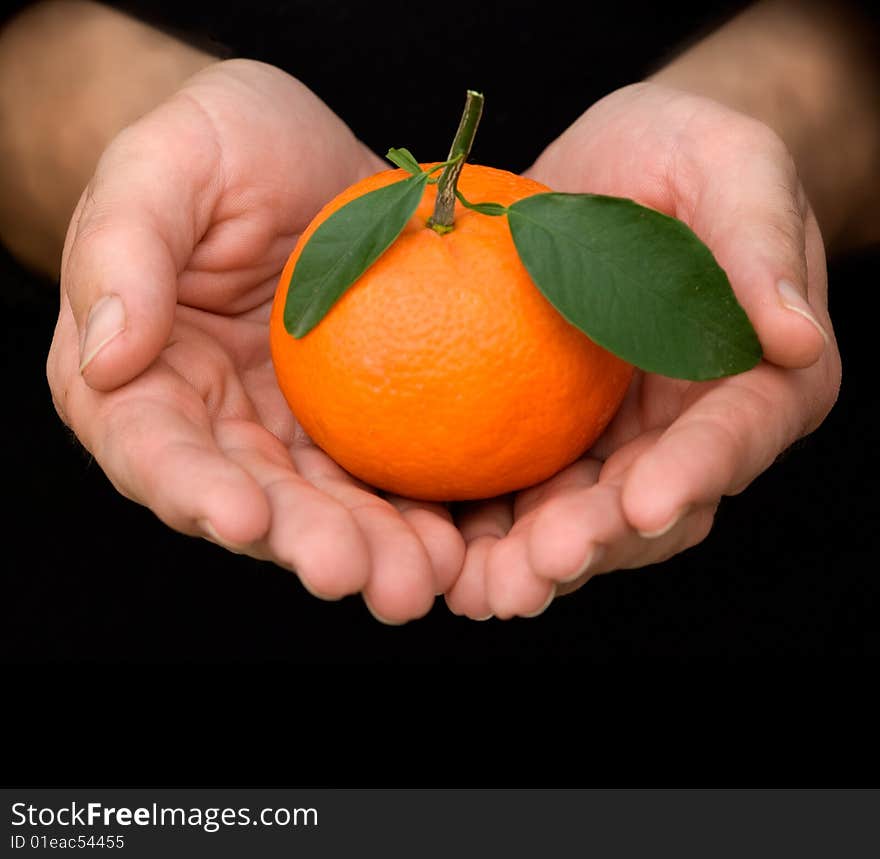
730, 178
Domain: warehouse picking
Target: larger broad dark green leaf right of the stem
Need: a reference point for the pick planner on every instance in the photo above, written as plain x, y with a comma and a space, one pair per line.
636, 281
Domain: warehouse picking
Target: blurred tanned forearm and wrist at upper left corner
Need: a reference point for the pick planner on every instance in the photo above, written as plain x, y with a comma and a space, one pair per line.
72, 75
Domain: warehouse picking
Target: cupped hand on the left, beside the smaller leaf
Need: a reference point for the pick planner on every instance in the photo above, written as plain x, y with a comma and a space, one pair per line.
160, 361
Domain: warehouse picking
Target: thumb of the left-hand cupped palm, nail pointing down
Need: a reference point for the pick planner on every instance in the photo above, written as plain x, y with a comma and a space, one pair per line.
134, 229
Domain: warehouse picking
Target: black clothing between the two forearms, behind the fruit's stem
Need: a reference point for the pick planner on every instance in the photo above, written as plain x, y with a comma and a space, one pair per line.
397, 75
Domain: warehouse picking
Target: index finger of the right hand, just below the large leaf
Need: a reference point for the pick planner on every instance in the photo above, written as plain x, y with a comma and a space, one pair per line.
718, 446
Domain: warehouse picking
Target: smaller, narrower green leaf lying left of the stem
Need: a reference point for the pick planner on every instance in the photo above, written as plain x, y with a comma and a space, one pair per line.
344, 247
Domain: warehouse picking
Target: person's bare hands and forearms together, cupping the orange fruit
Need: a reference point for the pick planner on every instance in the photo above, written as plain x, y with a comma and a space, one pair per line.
162, 368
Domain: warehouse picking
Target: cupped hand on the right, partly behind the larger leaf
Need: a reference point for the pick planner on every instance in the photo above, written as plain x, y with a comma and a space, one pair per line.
650, 486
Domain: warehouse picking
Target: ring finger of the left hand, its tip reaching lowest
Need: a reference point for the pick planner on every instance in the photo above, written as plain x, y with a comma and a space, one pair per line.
401, 583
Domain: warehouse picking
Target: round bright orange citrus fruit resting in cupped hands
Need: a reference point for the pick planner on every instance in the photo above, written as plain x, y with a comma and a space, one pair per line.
443, 373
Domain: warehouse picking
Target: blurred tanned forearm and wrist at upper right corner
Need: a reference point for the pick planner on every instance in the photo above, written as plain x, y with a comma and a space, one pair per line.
808, 71
